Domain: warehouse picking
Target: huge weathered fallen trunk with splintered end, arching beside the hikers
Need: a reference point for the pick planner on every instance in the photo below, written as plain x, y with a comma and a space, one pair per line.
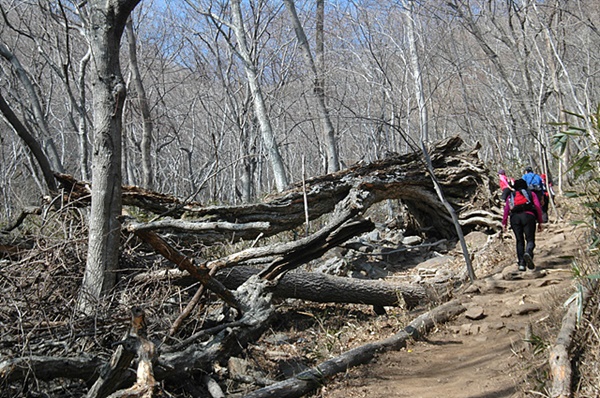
462, 176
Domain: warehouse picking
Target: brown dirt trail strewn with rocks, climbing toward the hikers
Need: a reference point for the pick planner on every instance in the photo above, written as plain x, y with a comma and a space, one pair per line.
479, 357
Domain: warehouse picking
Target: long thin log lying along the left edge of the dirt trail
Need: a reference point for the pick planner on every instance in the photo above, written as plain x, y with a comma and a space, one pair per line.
311, 379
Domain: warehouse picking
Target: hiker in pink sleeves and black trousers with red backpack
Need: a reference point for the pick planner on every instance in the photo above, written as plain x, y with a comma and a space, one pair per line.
524, 210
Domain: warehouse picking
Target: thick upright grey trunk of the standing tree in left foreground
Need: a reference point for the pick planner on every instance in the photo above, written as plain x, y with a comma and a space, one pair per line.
104, 28
